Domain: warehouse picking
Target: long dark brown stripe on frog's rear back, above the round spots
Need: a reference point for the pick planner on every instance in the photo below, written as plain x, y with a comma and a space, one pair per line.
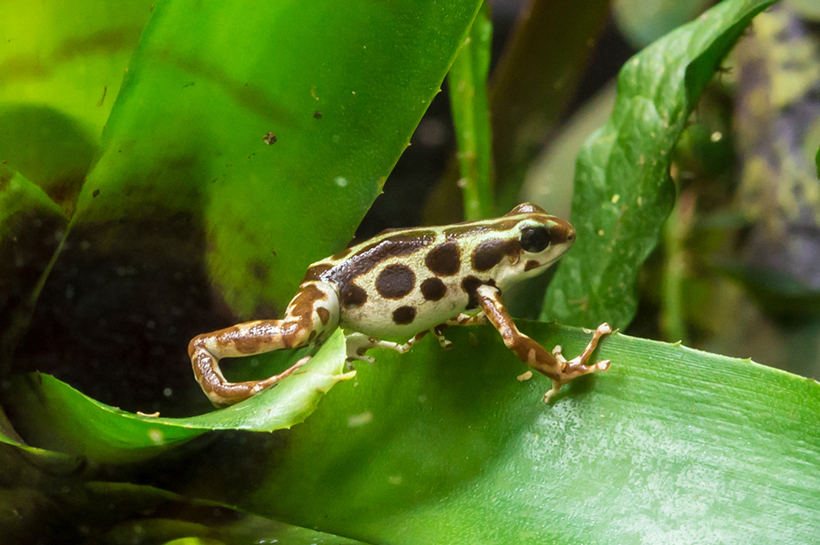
364, 260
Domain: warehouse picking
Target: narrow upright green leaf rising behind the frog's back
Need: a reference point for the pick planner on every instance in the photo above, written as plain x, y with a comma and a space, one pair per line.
468, 98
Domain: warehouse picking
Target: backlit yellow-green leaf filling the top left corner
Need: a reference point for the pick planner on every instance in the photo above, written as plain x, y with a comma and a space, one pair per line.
61, 65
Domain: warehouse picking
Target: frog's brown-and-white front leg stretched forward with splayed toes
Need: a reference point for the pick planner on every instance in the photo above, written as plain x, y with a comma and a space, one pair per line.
553, 365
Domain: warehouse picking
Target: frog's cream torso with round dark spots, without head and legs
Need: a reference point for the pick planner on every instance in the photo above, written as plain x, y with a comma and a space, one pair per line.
405, 281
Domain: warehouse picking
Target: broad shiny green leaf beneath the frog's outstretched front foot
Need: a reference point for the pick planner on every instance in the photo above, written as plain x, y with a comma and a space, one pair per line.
448, 447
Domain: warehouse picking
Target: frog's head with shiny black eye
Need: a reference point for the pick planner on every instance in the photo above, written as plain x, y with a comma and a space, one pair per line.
538, 240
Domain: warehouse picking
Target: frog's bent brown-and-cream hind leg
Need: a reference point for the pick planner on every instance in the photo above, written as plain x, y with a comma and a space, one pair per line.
310, 316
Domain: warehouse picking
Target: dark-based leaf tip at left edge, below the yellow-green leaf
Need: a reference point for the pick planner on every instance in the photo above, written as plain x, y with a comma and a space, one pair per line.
31, 229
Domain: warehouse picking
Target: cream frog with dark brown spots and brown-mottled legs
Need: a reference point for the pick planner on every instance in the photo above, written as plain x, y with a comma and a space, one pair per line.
407, 283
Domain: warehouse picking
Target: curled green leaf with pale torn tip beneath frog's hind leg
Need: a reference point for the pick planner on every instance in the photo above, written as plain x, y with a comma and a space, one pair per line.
51, 414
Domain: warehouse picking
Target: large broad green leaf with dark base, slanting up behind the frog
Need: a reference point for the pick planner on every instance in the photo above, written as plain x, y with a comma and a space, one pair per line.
186, 142
